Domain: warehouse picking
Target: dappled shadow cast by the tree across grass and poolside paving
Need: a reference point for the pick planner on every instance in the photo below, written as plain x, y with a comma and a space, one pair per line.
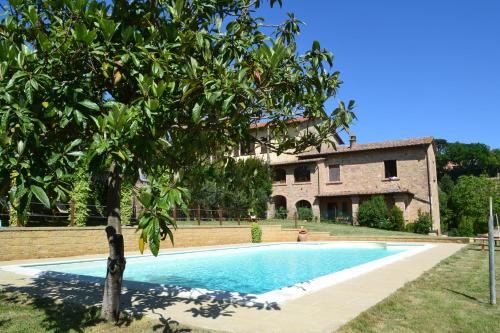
72, 302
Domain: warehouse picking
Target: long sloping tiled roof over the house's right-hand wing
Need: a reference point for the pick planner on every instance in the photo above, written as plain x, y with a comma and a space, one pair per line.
372, 146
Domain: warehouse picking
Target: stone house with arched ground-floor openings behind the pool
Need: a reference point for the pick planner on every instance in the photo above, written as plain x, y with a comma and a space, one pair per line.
334, 181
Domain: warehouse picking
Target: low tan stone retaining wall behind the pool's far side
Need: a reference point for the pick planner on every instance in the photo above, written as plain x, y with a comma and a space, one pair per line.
30, 243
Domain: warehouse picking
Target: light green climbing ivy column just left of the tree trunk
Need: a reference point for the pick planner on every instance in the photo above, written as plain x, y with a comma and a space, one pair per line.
79, 196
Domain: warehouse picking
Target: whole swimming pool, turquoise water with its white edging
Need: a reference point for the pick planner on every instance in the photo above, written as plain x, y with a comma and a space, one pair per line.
272, 271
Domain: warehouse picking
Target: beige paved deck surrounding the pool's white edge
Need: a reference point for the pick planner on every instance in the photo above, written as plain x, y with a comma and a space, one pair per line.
321, 311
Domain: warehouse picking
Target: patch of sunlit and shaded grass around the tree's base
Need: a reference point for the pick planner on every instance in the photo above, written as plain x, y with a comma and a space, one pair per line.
23, 313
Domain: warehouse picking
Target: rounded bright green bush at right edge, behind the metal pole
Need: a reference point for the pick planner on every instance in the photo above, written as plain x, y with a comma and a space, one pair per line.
470, 198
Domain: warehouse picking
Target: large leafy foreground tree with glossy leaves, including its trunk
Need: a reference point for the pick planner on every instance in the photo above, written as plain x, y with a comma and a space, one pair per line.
151, 85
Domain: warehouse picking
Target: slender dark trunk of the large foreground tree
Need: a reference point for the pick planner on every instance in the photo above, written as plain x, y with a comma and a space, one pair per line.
116, 259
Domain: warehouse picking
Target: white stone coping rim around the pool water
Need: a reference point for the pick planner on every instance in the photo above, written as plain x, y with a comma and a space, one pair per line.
276, 296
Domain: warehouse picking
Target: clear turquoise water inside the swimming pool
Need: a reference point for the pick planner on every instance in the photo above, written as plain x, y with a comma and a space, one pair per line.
253, 270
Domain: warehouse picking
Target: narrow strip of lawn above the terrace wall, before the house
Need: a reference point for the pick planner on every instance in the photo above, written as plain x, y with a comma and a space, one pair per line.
333, 229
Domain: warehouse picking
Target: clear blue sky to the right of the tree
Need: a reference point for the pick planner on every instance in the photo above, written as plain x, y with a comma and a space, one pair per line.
414, 68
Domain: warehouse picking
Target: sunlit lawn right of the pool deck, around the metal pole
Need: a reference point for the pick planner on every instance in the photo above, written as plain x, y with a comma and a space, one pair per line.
451, 297
